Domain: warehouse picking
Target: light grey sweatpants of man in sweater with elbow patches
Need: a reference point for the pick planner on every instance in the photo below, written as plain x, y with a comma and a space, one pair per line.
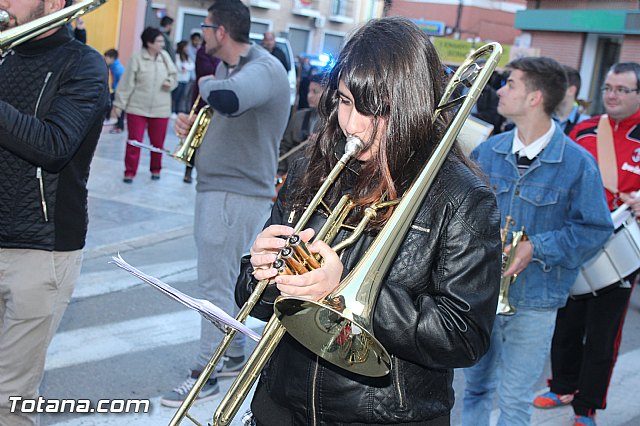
226, 225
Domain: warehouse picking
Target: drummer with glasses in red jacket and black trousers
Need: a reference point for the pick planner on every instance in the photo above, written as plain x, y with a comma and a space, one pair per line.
589, 328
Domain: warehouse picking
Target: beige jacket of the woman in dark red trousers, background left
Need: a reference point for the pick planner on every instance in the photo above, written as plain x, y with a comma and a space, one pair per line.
140, 89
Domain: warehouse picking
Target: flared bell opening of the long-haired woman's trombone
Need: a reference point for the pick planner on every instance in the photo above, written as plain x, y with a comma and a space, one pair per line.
335, 334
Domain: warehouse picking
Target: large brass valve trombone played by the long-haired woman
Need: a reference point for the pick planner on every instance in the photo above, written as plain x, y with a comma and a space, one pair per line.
338, 328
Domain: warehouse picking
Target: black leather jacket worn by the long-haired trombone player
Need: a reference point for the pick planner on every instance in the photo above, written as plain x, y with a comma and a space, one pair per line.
434, 313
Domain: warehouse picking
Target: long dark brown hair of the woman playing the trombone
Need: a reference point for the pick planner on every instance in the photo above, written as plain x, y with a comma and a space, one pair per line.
393, 72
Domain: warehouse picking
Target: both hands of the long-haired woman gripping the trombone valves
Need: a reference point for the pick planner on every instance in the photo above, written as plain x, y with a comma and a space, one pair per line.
313, 285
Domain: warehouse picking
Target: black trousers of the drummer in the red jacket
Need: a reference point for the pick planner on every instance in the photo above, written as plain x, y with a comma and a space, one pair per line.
585, 347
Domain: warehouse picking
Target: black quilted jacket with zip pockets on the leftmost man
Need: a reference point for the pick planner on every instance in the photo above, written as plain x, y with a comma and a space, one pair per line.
53, 99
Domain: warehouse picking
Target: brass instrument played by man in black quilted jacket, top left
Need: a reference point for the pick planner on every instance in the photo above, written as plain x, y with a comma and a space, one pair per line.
23, 33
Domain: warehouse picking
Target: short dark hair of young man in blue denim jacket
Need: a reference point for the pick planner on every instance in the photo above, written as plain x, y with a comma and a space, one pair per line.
543, 74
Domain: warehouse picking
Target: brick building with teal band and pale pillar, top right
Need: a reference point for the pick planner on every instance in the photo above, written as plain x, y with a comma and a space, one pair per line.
589, 35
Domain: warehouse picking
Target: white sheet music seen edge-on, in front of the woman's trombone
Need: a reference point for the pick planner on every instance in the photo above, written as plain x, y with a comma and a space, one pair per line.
208, 310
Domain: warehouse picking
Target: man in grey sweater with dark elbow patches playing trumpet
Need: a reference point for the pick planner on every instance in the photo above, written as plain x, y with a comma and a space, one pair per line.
236, 165
